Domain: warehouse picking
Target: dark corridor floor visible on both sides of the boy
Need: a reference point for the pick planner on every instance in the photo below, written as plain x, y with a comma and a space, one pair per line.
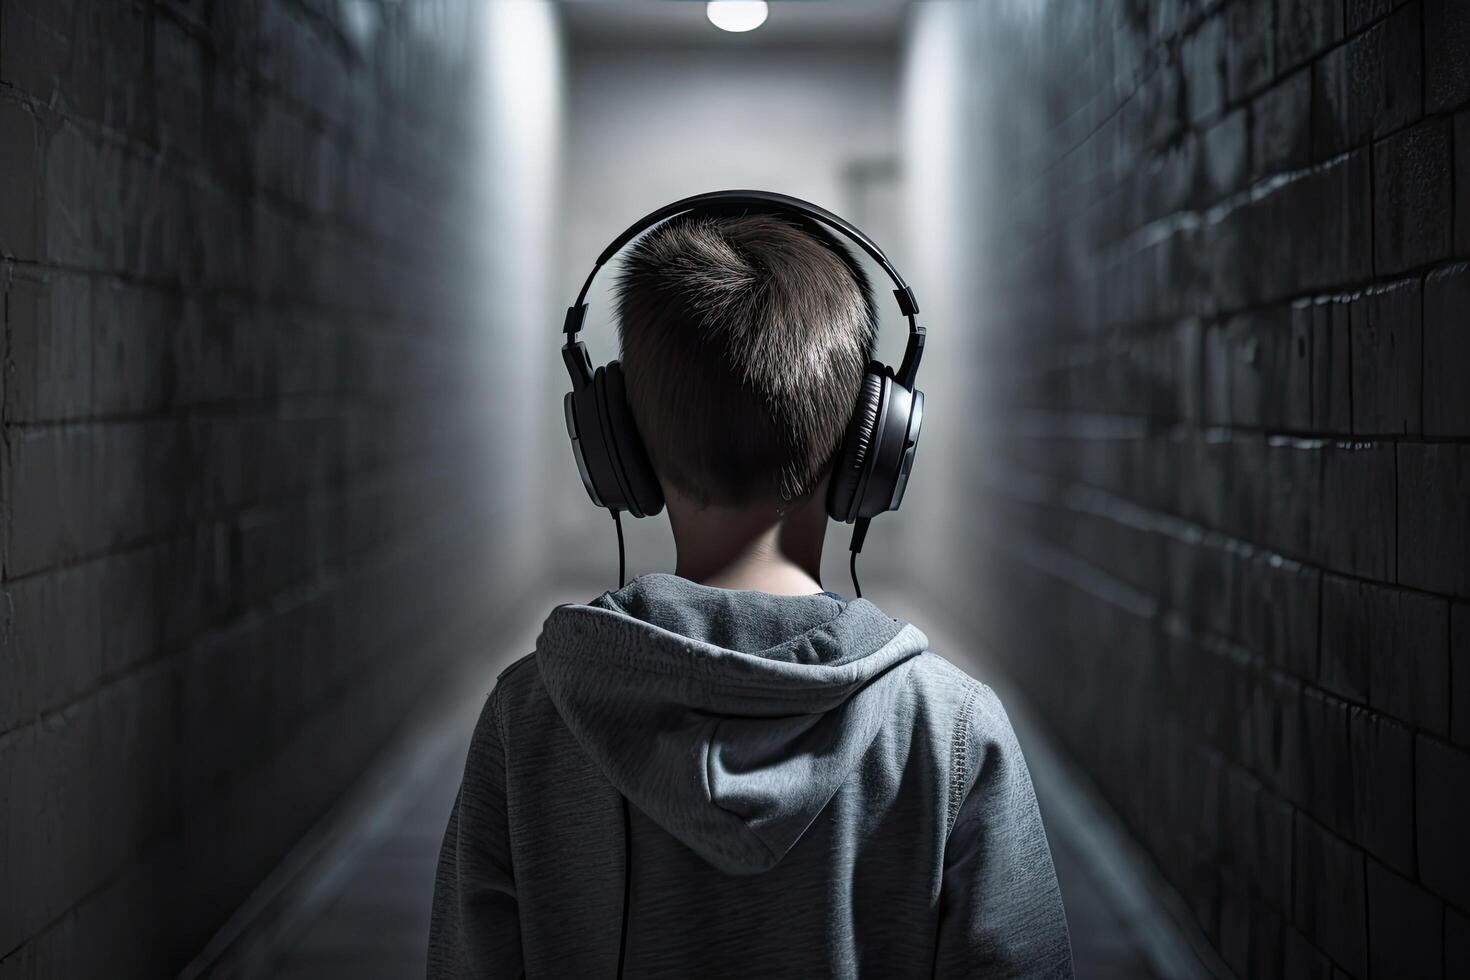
358, 907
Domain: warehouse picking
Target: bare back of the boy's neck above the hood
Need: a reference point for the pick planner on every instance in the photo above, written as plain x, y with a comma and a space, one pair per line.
758, 549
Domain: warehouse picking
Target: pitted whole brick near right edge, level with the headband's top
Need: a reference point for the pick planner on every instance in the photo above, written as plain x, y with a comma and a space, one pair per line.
1412, 198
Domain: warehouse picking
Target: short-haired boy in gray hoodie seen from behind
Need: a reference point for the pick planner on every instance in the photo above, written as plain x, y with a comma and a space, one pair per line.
728, 771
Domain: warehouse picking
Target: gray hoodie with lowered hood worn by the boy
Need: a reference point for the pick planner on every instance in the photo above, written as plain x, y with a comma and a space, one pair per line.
698, 782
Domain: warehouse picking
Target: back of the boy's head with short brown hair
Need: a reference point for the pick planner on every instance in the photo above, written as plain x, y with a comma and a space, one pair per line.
745, 342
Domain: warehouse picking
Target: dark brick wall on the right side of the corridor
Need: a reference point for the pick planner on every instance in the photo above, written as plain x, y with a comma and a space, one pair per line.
1227, 456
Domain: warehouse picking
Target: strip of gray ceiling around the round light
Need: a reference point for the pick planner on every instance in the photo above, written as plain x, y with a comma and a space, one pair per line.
684, 23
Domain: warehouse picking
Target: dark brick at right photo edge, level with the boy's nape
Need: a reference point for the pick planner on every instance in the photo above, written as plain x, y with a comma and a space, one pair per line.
1434, 524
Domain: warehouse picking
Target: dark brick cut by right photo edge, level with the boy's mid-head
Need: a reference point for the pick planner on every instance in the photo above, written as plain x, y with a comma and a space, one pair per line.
1447, 350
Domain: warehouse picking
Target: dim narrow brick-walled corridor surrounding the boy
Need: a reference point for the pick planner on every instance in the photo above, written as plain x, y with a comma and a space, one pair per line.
283, 444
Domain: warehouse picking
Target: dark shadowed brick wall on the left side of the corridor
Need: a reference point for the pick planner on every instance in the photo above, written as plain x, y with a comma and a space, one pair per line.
240, 514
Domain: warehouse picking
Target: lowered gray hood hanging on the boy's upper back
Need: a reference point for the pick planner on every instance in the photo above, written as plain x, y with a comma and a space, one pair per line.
728, 718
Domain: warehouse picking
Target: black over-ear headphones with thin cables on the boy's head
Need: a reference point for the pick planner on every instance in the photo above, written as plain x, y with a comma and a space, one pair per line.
871, 469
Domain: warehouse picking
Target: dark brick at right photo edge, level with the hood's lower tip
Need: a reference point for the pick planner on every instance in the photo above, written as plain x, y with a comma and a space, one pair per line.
1443, 803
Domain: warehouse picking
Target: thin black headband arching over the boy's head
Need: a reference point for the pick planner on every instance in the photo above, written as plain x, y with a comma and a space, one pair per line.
768, 202
